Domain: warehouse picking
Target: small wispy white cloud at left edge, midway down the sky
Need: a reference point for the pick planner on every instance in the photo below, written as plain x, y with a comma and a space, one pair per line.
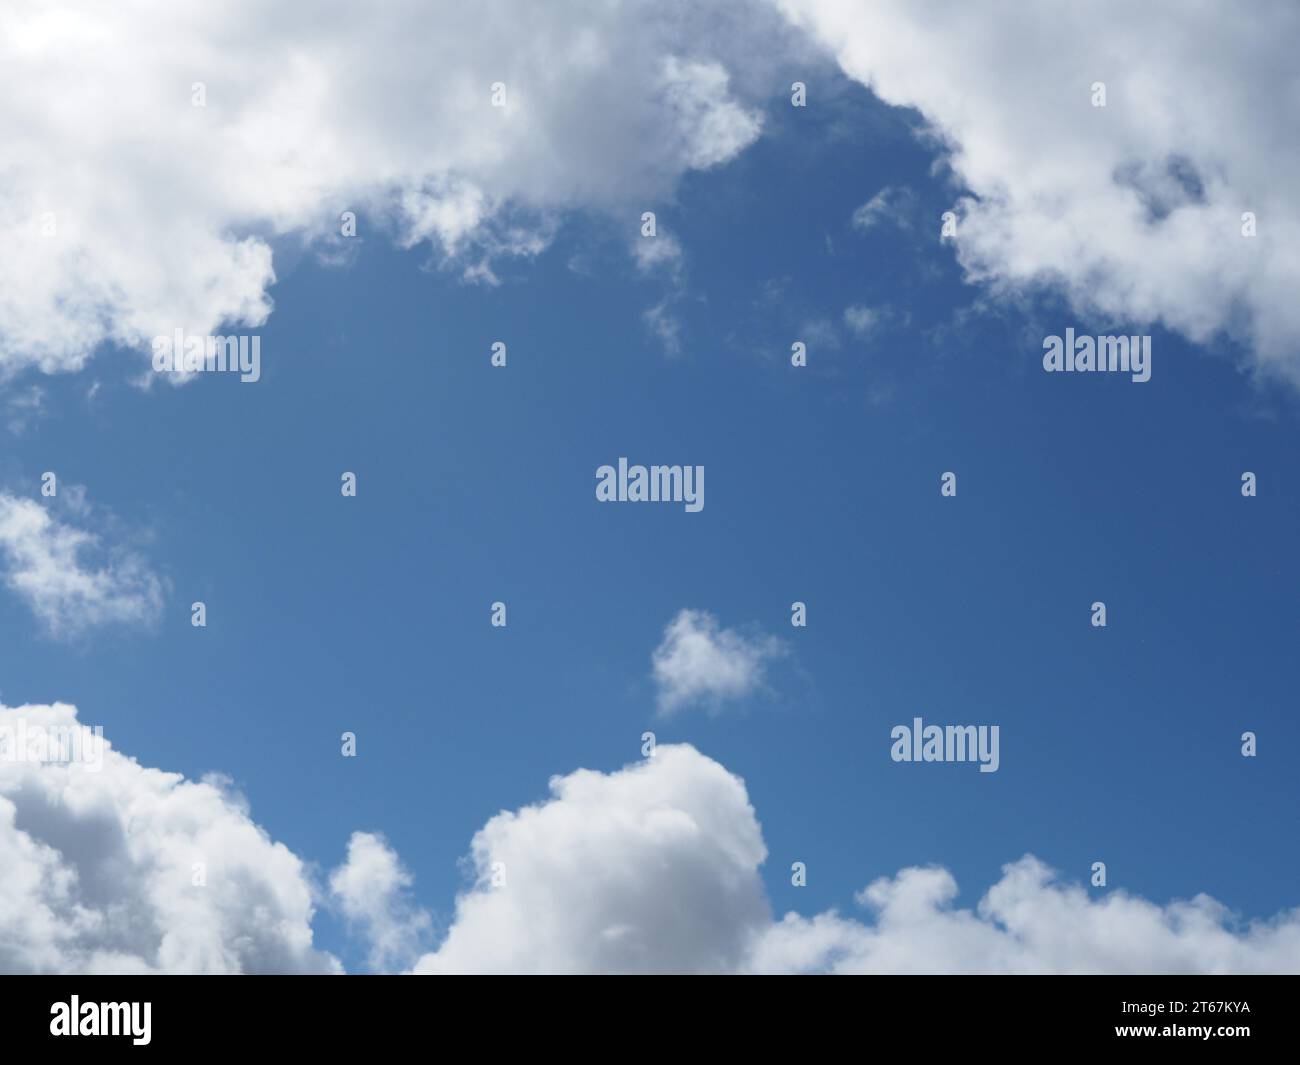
49, 564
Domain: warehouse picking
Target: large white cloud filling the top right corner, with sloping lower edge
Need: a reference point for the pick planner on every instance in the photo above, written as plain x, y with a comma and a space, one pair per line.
1132, 211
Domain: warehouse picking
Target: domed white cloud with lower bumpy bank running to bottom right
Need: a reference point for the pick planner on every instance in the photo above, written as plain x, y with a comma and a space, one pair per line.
656, 869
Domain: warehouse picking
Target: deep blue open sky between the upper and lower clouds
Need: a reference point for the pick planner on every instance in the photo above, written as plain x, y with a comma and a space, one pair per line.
371, 614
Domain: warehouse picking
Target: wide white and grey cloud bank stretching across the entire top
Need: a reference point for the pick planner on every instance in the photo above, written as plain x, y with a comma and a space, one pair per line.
171, 213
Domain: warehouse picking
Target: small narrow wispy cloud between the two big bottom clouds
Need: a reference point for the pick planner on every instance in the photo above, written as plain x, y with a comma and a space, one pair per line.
372, 889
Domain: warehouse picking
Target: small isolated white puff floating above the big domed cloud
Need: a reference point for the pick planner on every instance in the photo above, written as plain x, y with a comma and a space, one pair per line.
700, 663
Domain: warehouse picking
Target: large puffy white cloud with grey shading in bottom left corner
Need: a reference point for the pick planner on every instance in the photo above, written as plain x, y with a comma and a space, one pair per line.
98, 869
